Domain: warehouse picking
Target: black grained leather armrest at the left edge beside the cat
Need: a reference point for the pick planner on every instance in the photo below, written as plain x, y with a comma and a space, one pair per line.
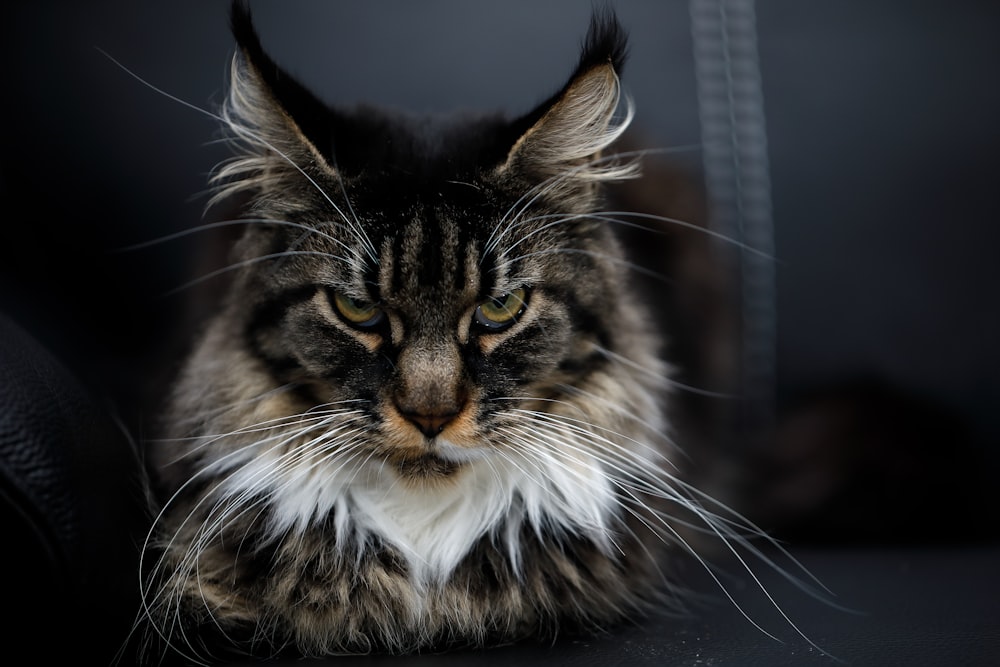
70, 508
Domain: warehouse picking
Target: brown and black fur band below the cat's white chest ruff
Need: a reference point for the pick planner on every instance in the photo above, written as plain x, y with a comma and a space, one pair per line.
564, 586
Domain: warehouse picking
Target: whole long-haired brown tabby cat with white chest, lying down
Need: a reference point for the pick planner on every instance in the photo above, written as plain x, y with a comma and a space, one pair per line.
430, 410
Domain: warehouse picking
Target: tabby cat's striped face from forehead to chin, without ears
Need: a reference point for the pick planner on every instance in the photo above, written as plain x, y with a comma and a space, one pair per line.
435, 308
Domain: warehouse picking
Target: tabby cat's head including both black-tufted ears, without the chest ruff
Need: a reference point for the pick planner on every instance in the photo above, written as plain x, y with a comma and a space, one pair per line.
440, 279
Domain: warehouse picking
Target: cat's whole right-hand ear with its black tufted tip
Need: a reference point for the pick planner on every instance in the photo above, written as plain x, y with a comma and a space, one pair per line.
565, 138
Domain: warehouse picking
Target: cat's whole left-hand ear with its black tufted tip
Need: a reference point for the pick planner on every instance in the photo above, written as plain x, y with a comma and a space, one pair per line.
281, 128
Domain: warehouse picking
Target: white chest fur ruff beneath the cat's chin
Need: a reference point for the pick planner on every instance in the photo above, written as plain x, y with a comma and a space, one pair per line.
435, 525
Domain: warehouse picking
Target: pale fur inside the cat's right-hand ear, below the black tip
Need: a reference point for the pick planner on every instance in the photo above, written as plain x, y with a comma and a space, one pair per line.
570, 137
